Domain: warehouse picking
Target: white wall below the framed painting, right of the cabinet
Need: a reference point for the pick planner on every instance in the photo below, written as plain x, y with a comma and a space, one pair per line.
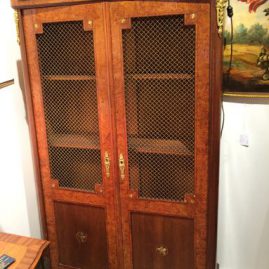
243, 236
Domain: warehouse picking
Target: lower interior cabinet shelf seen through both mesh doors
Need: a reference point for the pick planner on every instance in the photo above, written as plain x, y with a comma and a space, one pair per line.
139, 145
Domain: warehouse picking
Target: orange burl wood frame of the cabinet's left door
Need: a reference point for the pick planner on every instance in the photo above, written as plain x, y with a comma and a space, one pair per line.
33, 20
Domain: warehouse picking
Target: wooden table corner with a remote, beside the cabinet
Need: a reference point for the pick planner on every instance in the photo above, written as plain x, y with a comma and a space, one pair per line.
27, 251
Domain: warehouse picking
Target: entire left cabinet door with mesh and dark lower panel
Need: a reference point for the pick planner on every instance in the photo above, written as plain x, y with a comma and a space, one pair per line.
66, 53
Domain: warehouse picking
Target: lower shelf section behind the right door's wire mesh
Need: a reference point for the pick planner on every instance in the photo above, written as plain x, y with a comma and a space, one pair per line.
159, 146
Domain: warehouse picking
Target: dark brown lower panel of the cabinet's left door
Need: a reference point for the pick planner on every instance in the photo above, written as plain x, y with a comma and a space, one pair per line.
82, 237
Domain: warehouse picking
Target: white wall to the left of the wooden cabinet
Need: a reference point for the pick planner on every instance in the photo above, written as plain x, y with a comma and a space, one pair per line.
18, 198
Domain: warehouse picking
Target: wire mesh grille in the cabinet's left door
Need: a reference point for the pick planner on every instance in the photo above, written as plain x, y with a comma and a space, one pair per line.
66, 58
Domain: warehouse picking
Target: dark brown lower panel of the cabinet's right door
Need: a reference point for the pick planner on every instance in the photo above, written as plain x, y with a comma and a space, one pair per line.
162, 242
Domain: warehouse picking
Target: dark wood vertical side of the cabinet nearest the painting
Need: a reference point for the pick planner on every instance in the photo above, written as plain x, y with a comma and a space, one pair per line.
214, 137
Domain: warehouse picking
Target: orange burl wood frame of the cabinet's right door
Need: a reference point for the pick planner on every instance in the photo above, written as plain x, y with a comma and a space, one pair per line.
197, 210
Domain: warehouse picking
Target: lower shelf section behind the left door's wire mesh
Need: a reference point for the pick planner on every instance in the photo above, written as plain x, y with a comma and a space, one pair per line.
74, 141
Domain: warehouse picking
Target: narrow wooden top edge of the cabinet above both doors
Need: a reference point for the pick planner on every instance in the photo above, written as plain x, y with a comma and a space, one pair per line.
21, 4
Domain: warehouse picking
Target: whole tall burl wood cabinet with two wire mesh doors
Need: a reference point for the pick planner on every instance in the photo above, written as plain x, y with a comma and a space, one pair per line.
123, 104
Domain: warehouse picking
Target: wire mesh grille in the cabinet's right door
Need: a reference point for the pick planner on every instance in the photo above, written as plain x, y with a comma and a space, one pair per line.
159, 68
